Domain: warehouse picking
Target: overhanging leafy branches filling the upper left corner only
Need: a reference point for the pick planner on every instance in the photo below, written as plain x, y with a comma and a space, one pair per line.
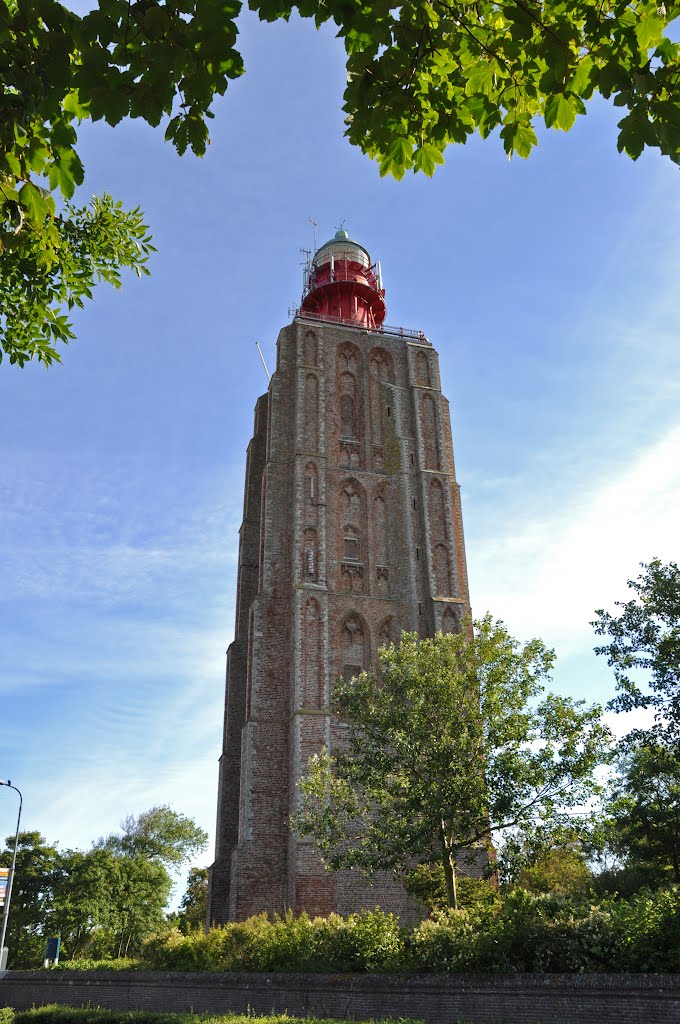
145, 59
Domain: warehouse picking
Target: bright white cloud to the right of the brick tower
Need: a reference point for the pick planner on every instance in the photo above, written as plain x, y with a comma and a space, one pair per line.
548, 577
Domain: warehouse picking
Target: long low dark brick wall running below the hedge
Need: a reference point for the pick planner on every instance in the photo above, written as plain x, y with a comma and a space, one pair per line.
492, 999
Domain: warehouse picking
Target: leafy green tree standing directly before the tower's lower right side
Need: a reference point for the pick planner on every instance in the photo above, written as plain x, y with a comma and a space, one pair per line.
457, 742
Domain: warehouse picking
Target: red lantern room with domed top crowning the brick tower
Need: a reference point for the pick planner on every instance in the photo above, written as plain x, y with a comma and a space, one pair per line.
342, 284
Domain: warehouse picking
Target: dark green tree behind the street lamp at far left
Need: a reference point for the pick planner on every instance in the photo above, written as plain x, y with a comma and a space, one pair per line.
31, 907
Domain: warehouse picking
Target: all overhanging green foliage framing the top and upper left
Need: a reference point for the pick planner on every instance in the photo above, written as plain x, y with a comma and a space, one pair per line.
419, 77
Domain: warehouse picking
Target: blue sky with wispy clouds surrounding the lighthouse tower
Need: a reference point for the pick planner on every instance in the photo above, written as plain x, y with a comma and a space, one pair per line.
550, 289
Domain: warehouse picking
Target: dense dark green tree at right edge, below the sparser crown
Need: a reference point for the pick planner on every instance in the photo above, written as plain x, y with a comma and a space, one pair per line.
644, 810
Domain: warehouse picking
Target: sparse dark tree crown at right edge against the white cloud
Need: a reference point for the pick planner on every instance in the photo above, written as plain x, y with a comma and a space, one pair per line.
645, 648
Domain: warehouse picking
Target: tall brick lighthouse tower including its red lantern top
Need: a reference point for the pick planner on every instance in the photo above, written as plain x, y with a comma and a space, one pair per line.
352, 533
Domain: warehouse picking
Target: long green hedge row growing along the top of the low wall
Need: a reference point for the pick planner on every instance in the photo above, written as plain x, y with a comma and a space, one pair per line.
521, 932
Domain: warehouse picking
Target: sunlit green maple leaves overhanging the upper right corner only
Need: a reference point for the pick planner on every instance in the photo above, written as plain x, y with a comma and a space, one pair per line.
445, 71
